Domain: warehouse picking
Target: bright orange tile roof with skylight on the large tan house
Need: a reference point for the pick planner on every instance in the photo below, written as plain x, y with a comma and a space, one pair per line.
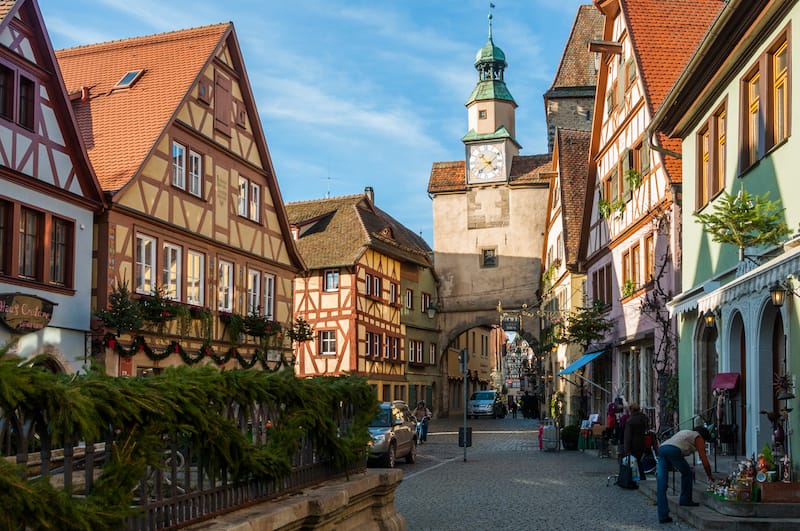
120, 127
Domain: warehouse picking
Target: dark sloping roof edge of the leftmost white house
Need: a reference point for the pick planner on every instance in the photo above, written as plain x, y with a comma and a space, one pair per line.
28, 11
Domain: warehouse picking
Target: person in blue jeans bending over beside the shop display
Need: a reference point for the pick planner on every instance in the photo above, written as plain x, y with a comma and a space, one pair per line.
673, 452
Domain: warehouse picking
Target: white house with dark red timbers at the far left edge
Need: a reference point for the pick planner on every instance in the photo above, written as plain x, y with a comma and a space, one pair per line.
48, 198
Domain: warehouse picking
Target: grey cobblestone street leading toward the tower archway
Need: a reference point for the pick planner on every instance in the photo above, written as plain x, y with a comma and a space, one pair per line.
506, 482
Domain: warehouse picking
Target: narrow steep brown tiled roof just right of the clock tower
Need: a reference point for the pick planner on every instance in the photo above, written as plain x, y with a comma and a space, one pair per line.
572, 148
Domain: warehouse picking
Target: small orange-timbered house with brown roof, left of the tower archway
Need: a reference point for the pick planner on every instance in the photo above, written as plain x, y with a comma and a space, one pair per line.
352, 292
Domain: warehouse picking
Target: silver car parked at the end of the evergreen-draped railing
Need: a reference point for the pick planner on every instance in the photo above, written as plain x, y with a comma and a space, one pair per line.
394, 435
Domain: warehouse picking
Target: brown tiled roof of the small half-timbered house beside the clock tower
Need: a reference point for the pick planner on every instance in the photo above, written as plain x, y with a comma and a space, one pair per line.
335, 232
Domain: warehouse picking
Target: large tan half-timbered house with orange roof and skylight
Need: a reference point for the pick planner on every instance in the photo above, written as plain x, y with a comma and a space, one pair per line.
196, 220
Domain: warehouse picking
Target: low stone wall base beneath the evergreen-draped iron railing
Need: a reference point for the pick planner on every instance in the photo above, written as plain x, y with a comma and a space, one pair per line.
365, 501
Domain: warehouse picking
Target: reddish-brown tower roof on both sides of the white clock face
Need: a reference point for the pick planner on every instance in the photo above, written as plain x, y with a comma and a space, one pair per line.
526, 170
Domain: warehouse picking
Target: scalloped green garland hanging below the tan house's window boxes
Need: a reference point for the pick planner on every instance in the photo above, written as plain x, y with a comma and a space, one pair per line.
139, 345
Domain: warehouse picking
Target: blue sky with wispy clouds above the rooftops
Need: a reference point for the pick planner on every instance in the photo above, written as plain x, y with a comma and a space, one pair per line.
361, 92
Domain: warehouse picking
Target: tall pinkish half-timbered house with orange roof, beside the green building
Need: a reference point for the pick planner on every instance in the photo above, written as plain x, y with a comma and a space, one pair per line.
632, 220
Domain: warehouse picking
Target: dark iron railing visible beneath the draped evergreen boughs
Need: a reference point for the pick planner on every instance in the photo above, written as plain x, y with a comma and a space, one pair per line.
180, 489
